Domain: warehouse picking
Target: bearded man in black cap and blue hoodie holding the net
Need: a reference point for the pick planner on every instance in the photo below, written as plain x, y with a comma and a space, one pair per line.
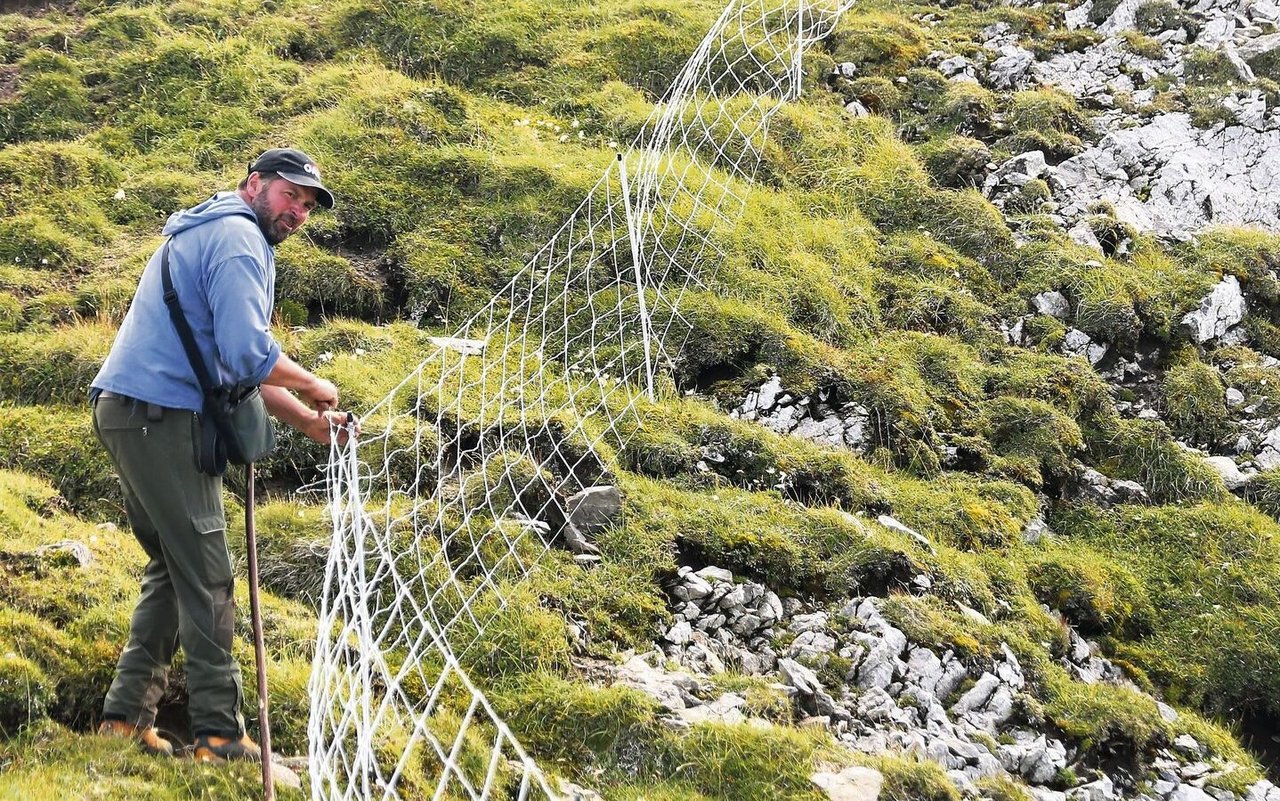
147, 400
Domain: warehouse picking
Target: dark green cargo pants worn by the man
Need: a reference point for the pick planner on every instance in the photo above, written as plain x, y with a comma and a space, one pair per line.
177, 516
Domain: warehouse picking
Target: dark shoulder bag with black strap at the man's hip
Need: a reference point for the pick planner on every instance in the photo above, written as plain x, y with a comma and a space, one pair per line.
234, 427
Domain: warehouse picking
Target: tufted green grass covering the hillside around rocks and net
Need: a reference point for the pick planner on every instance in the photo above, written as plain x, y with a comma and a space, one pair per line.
458, 136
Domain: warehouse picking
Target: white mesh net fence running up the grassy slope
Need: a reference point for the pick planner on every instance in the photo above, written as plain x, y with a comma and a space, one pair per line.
470, 469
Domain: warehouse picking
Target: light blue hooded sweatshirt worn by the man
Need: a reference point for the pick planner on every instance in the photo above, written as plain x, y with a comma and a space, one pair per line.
225, 273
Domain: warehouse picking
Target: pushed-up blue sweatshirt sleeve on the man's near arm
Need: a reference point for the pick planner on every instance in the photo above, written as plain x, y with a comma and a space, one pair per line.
241, 304
